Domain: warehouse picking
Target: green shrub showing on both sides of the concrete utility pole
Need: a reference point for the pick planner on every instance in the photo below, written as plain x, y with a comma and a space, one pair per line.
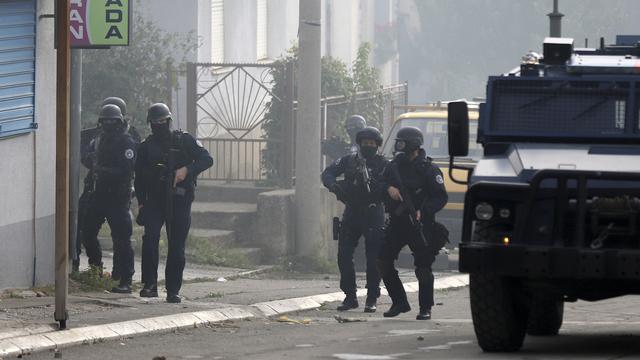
359, 86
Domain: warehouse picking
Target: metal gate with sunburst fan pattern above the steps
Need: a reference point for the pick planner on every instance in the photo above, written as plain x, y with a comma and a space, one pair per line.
227, 104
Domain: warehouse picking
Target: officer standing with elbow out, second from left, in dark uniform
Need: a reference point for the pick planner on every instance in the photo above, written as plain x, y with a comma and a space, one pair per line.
166, 170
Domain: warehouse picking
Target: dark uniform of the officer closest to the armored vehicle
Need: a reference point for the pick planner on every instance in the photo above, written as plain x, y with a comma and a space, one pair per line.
424, 182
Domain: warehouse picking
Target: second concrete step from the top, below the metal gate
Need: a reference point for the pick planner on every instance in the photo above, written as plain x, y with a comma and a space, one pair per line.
238, 217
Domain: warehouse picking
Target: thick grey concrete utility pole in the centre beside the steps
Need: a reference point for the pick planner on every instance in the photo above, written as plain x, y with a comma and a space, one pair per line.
308, 198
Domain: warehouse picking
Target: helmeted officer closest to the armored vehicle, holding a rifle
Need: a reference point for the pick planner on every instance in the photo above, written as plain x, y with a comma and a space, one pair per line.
413, 175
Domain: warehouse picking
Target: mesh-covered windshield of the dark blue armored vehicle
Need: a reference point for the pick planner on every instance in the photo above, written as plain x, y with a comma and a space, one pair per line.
559, 107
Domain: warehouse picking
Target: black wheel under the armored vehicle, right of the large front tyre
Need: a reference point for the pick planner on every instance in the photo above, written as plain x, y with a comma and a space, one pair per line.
545, 317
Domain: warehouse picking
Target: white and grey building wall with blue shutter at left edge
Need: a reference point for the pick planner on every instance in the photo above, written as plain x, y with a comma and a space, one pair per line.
27, 143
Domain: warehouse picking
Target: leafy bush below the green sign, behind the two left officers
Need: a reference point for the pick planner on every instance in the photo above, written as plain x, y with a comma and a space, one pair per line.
142, 73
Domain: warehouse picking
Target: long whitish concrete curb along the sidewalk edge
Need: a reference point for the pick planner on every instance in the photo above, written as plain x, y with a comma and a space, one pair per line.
23, 345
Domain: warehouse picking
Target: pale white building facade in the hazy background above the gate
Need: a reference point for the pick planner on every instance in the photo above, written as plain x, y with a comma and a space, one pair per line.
248, 31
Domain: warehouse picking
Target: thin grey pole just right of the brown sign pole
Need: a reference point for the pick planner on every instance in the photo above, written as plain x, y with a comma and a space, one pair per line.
74, 152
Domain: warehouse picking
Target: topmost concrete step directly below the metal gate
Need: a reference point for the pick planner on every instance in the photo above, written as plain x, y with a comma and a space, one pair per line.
215, 192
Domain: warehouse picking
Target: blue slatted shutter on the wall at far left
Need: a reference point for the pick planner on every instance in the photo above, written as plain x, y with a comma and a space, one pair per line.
17, 66
